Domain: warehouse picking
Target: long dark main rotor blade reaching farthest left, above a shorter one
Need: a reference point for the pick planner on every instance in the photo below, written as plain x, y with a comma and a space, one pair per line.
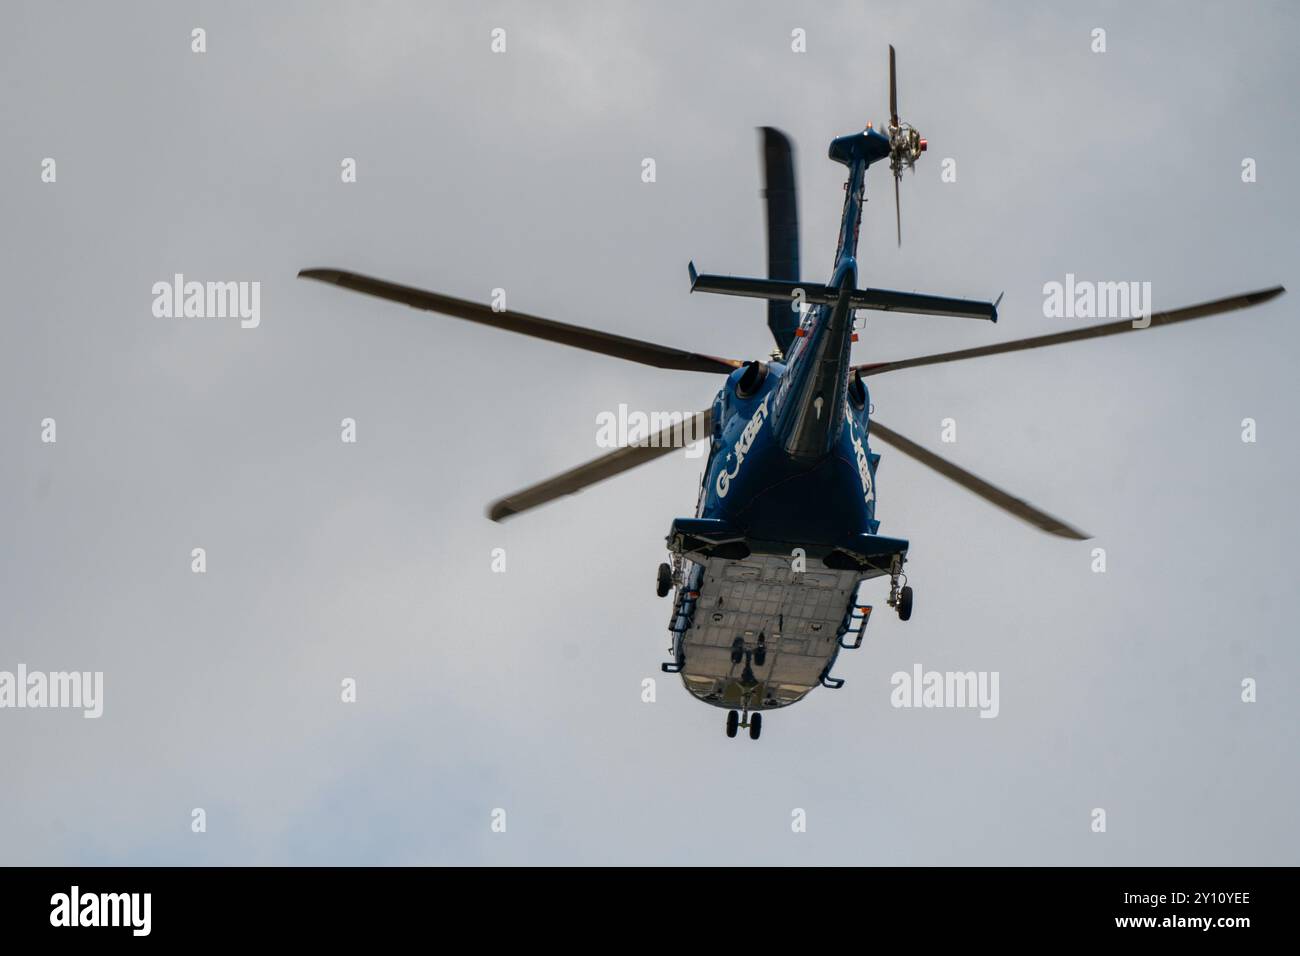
575, 336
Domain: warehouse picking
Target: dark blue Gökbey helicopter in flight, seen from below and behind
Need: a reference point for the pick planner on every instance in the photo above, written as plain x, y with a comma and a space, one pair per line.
766, 576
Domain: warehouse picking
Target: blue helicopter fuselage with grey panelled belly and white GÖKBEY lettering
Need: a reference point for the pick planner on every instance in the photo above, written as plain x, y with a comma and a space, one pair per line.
785, 529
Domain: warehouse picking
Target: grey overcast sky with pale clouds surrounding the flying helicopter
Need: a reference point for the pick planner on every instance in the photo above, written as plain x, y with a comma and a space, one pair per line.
523, 690
